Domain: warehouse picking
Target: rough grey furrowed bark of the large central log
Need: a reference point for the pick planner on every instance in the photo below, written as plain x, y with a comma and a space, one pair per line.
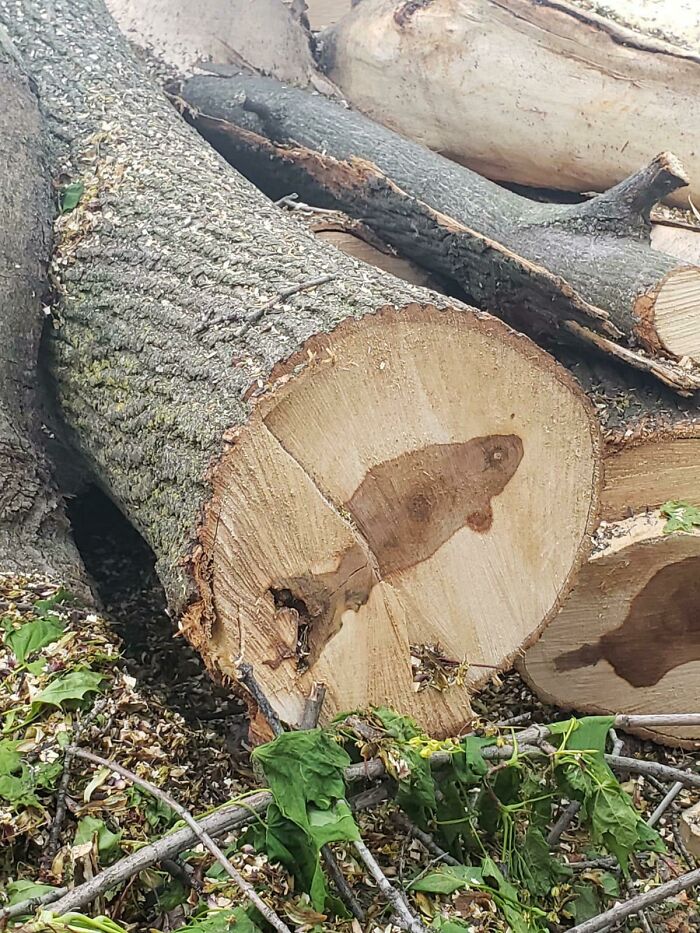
165, 237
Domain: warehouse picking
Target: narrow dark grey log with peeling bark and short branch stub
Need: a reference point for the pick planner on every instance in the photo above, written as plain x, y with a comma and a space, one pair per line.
583, 271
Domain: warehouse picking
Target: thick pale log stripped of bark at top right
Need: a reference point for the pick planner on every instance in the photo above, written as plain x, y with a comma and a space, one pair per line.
589, 91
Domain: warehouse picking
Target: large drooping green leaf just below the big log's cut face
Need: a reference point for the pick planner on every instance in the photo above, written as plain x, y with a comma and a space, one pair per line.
304, 771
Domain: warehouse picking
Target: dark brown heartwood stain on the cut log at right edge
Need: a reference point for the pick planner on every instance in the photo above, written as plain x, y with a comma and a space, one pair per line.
661, 631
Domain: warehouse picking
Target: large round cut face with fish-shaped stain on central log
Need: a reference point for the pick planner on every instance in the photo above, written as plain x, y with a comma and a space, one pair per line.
373, 505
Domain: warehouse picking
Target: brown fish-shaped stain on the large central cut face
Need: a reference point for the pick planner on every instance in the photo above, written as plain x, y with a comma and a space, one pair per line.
408, 507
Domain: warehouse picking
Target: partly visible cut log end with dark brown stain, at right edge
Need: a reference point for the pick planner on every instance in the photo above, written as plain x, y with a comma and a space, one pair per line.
628, 638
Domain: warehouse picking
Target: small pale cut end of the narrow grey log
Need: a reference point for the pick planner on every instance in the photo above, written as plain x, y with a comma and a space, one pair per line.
677, 313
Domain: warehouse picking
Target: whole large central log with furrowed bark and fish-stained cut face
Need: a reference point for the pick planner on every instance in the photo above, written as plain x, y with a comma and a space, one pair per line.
313, 450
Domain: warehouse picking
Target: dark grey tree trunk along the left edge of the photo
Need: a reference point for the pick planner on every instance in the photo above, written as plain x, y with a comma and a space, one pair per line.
34, 532
